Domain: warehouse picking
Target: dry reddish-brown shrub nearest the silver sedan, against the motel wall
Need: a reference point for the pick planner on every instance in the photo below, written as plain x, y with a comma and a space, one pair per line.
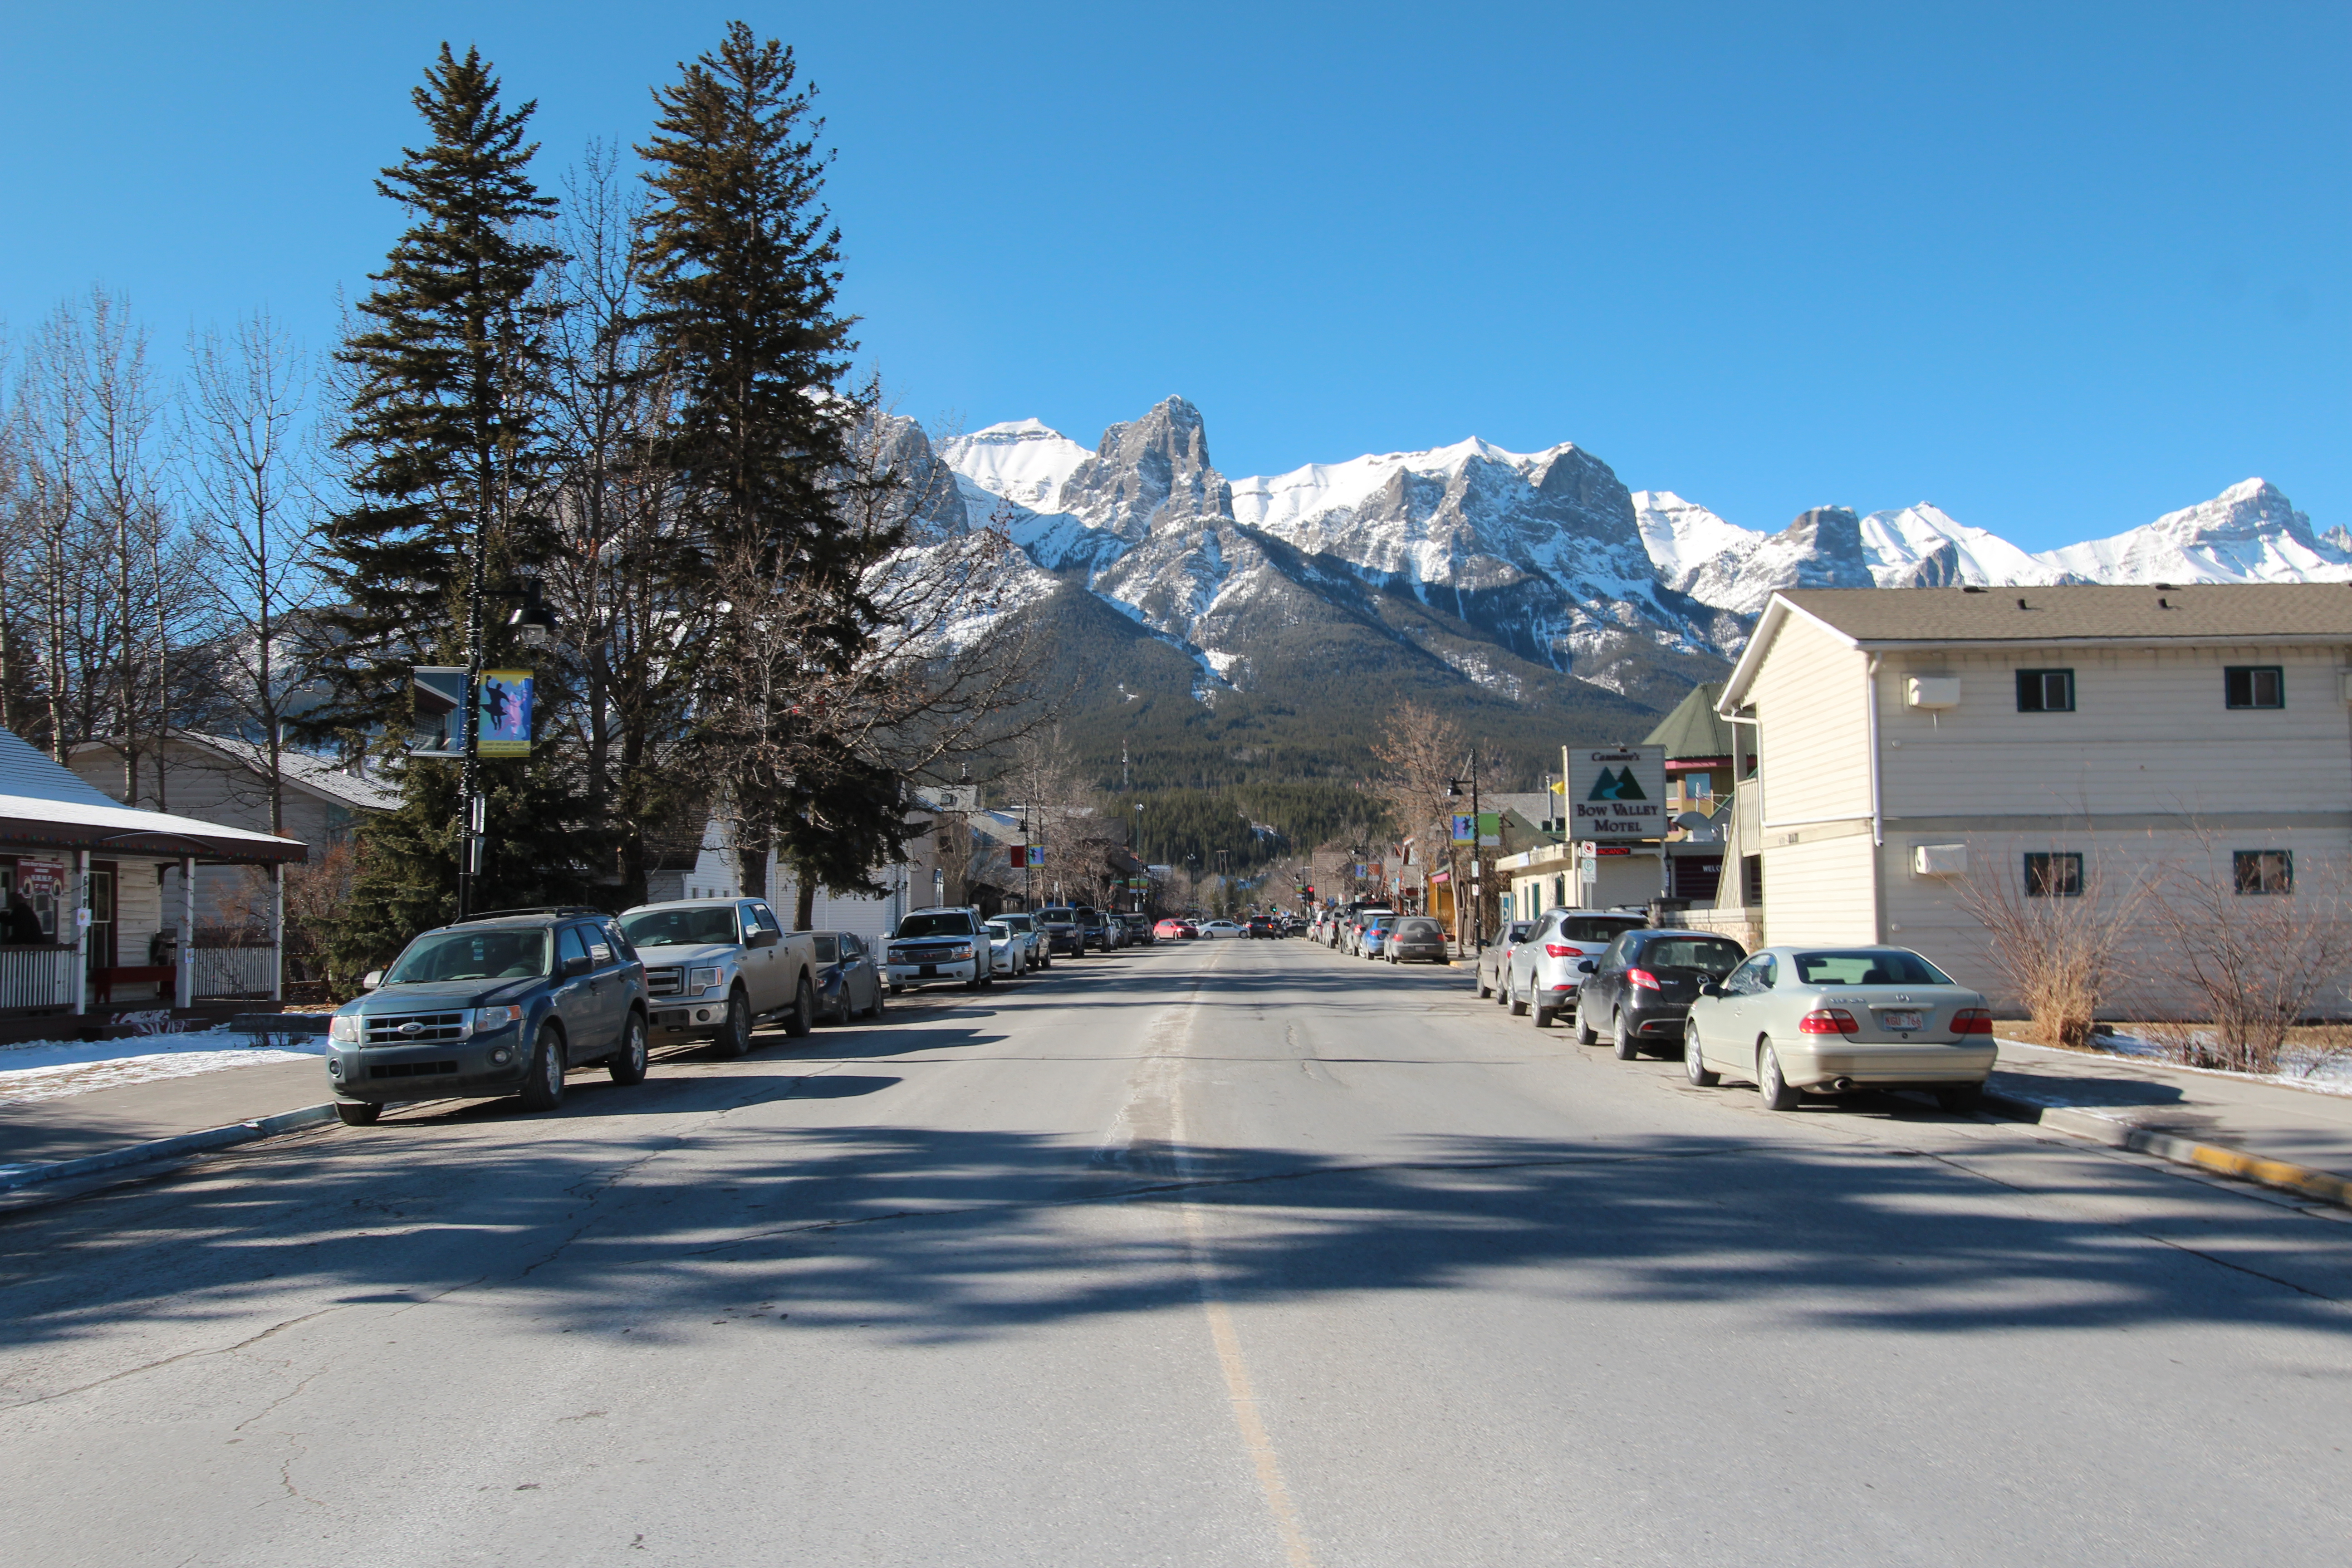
2059, 956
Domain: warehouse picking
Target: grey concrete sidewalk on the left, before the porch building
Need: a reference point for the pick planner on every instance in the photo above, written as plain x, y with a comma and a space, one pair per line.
107, 1120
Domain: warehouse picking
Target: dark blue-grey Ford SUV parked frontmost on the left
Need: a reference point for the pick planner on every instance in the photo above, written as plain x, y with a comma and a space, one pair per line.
502, 1005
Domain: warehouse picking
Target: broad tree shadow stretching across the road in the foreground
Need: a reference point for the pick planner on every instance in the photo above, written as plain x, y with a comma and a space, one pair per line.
947, 1235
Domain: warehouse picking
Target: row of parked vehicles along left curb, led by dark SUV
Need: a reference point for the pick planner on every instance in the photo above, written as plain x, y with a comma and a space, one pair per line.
509, 1003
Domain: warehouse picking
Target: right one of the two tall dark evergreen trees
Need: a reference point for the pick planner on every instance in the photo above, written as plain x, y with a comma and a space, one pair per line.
742, 276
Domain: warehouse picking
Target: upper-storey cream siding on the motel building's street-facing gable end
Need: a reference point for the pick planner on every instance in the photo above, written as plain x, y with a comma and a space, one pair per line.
1815, 728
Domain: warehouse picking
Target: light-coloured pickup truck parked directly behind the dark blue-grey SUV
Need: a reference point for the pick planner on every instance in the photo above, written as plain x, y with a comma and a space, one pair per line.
719, 965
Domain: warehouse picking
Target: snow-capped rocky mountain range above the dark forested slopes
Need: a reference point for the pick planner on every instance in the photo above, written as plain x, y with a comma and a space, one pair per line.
1530, 575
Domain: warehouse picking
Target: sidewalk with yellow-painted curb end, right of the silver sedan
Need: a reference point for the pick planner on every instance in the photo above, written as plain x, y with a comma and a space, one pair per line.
2193, 1118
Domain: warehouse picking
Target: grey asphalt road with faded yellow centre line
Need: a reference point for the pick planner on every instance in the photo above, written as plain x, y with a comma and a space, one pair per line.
1212, 1254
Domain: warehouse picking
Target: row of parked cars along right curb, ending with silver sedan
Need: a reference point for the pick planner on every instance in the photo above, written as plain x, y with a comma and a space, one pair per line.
1789, 1019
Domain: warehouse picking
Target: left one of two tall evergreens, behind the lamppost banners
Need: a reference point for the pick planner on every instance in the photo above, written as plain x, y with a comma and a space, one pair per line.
446, 448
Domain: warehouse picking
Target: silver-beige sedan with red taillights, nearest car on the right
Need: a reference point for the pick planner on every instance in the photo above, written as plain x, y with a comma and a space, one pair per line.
1836, 1019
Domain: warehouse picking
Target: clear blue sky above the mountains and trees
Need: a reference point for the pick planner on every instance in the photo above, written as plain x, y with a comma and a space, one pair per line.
2052, 267
